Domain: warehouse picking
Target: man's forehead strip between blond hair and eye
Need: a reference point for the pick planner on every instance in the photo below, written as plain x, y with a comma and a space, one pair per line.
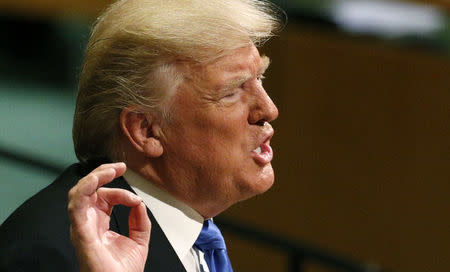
241, 62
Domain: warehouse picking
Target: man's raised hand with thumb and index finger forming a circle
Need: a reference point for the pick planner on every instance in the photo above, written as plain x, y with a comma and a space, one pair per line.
90, 207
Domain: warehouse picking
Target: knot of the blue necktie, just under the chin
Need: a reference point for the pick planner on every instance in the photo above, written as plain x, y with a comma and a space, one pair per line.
210, 237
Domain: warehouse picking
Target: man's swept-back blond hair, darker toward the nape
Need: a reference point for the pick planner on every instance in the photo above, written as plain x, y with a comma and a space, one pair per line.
130, 55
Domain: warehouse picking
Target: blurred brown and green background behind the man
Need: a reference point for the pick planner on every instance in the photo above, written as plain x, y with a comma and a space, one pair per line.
362, 147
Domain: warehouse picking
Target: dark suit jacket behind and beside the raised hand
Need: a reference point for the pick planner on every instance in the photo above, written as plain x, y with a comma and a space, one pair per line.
36, 236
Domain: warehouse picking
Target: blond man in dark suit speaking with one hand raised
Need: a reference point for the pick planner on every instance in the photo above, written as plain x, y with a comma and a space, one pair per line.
173, 89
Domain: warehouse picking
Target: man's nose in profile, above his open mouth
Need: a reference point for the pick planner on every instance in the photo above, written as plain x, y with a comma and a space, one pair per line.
263, 110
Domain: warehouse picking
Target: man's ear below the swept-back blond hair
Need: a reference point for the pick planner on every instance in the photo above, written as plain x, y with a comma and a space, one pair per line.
142, 132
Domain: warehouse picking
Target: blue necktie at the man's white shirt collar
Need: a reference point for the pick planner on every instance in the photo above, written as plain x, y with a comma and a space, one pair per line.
211, 243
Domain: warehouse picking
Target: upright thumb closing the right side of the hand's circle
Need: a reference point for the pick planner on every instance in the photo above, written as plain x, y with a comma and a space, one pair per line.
140, 225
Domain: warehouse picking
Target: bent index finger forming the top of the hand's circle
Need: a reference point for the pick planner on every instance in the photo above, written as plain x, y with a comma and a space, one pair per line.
113, 196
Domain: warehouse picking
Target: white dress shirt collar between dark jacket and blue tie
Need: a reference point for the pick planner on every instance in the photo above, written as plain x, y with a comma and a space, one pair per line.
180, 223
